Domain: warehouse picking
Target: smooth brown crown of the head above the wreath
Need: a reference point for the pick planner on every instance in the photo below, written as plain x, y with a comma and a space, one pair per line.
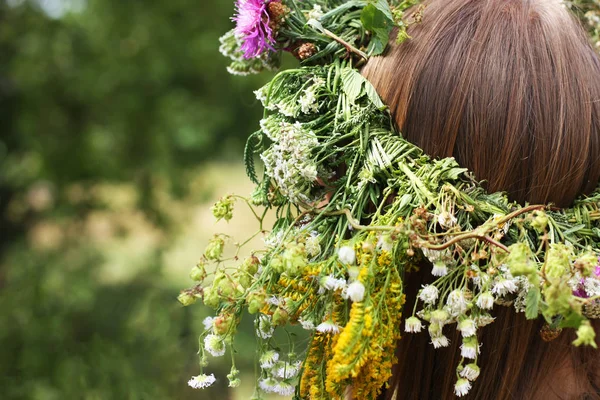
511, 88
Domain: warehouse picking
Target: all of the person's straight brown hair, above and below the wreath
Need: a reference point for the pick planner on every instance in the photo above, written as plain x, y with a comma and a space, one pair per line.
511, 88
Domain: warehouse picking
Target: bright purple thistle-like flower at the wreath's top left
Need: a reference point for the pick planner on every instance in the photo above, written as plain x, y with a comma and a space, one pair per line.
252, 26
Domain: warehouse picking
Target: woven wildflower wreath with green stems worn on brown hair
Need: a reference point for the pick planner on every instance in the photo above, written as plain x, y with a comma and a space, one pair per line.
358, 207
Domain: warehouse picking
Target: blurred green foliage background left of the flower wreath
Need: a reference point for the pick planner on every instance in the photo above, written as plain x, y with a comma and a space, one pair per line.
119, 128
